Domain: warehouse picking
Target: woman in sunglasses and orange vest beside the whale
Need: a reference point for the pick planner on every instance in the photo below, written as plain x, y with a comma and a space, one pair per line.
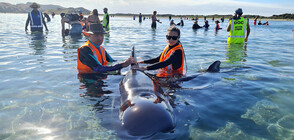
171, 61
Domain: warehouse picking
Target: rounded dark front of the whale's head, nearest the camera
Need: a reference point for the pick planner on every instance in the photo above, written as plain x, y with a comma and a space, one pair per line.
146, 118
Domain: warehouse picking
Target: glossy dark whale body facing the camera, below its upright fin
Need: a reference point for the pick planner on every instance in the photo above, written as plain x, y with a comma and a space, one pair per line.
145, 110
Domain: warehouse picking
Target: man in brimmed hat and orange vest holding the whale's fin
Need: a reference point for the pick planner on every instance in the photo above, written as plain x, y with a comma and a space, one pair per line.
93, 58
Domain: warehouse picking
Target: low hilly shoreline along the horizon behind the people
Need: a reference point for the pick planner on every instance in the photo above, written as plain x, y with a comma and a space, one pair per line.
50, 8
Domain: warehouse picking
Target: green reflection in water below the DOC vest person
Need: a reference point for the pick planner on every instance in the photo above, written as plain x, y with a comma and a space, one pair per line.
236, 53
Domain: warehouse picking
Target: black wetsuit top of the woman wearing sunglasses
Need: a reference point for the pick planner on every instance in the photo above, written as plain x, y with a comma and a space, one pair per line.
175, 59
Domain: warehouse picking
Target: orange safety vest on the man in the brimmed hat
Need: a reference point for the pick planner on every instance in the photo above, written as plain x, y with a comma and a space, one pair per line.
98, 55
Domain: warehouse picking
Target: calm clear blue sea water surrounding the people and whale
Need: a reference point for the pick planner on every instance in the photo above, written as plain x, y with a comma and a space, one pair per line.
251, 98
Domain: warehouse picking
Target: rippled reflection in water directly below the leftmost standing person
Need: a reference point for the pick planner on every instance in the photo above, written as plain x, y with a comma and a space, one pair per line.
37, 42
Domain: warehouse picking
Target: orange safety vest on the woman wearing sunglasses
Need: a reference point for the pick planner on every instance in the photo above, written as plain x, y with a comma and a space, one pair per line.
169, 71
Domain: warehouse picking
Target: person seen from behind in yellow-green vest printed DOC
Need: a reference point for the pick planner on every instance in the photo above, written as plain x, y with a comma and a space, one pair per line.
238, 28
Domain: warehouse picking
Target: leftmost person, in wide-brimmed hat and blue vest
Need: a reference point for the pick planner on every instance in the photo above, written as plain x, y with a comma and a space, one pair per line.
36, 19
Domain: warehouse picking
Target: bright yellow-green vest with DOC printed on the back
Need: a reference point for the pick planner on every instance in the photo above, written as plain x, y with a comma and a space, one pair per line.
237, 31
